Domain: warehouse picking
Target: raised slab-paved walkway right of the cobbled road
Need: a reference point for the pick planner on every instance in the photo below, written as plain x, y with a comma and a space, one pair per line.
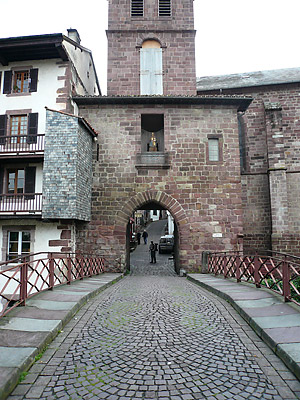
276, 322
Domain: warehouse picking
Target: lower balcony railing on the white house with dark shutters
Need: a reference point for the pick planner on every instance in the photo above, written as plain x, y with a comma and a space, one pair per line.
20, 203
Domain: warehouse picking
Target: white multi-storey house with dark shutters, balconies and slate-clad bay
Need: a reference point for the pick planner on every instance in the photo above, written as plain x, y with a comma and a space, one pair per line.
45, 155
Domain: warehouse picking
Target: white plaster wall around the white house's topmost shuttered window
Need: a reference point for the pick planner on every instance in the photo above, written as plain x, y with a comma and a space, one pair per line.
48, 85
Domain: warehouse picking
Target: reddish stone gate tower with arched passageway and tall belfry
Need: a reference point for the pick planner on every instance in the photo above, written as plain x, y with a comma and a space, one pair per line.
160, 145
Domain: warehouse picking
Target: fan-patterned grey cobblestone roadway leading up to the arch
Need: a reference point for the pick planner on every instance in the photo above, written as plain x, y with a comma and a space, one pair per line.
158, 338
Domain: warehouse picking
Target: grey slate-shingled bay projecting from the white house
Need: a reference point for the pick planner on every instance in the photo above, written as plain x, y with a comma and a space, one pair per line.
67, 173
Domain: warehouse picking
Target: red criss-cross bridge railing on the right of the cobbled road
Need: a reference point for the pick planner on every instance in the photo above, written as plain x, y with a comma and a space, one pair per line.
278, 271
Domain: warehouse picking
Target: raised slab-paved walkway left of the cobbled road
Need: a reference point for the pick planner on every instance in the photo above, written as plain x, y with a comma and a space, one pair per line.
26, 331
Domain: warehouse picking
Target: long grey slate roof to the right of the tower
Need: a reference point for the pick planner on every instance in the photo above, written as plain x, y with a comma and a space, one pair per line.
250, 79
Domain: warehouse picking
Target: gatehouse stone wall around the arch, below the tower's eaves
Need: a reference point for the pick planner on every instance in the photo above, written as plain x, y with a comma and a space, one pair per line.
204, 198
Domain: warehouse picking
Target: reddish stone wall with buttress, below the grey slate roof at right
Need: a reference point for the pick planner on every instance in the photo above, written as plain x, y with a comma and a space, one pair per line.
283, 148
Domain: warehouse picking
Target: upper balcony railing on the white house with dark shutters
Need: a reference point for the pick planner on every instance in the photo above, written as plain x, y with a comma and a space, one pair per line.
29, 144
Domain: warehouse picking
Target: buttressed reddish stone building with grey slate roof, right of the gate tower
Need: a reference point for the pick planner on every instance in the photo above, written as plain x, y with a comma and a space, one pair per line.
270, 155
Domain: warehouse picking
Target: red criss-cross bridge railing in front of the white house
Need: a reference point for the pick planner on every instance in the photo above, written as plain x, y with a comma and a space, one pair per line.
24, 277
